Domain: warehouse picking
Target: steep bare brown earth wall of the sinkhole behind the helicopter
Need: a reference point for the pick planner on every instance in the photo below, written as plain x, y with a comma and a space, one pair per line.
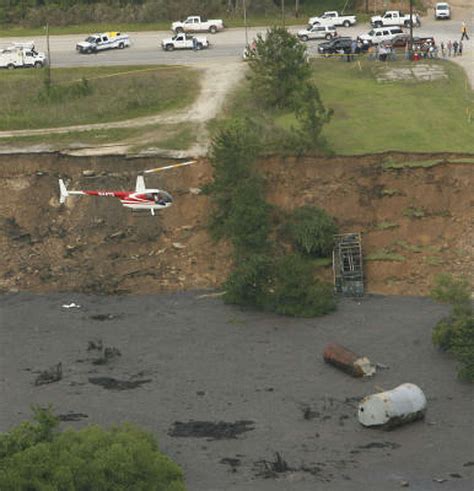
96, 245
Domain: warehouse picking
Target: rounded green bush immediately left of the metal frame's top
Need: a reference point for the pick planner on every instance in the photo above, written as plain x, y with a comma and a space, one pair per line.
311, 230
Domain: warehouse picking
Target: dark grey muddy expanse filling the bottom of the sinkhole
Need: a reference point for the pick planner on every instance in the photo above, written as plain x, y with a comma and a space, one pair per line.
209, 362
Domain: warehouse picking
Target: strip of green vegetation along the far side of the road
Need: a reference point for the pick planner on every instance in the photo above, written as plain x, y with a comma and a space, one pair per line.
35, 13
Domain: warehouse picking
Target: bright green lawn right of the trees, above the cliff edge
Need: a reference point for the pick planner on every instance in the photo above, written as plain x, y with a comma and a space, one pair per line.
371, 116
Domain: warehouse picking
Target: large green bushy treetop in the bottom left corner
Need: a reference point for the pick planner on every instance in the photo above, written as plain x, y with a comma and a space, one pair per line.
119, 459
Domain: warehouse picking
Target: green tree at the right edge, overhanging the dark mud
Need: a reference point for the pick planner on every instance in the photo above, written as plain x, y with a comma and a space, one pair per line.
456, 332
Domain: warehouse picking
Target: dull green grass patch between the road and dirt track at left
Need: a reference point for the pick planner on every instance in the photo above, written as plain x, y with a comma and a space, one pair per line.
110, 94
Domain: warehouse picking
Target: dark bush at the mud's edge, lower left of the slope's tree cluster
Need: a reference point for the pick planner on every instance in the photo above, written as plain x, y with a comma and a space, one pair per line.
248, 285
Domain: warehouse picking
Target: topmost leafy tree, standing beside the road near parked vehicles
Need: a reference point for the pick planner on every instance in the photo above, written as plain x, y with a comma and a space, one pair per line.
279, 68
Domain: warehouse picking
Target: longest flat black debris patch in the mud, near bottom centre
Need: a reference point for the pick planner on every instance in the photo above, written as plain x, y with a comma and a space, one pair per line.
221, 430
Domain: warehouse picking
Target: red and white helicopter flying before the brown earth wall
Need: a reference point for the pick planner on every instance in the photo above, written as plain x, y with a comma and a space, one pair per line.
142, 199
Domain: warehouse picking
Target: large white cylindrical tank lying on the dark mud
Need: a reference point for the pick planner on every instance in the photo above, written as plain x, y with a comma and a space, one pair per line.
394, 407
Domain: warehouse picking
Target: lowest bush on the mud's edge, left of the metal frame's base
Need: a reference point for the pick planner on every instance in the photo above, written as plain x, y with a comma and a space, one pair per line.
297, 293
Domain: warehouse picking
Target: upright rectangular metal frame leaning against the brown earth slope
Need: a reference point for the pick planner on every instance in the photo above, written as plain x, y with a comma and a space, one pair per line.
347, 265
